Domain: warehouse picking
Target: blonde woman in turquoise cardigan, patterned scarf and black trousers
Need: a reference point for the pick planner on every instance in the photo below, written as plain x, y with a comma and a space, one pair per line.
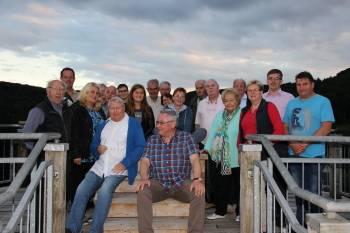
221, 145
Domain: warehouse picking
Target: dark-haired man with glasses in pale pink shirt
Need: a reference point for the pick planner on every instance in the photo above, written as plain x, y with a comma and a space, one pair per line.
275, 94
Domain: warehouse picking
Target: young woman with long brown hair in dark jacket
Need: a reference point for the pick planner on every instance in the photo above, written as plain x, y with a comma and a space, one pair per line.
138, 107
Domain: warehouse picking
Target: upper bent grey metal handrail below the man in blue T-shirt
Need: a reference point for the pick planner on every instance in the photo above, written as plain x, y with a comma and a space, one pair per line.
326, 204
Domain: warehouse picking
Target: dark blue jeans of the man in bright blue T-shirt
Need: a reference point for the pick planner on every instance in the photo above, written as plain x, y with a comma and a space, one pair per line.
311, 181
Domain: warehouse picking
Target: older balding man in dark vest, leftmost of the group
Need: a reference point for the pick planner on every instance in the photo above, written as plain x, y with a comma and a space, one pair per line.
47, 116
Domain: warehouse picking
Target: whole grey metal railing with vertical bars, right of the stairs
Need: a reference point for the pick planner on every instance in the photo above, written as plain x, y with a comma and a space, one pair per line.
274, 195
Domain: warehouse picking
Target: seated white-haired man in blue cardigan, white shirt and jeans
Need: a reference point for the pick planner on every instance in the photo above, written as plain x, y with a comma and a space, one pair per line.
118, 144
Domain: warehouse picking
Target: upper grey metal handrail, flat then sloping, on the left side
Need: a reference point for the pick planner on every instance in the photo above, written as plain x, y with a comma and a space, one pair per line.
29, 163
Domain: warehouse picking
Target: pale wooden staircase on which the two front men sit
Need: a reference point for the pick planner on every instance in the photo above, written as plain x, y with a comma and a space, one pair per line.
169, 216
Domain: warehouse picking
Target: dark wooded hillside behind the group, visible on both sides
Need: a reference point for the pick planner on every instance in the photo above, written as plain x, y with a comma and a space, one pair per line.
17, 99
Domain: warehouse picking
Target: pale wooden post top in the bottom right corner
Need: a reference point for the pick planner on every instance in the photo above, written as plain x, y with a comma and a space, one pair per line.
328, 222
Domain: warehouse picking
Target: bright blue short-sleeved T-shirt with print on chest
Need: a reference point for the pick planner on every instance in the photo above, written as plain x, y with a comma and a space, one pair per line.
304, 117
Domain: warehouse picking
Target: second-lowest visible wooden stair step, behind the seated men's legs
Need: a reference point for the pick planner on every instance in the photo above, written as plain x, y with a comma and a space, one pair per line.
125, 205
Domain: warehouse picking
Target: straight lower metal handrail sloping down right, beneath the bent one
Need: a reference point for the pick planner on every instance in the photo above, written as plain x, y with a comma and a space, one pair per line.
280, 198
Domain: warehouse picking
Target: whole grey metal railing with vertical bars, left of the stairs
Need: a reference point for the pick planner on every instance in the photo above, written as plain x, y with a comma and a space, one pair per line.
37, 195
